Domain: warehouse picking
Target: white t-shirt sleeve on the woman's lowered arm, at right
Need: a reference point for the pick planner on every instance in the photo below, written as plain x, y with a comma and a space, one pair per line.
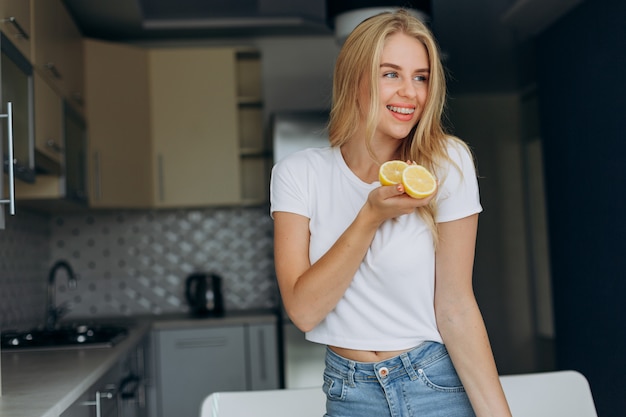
458, 195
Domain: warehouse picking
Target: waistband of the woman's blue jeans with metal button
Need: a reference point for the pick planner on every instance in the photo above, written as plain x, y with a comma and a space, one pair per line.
405, 364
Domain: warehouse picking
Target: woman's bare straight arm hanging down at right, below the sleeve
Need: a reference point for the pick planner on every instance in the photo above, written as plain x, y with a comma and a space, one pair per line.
460, 321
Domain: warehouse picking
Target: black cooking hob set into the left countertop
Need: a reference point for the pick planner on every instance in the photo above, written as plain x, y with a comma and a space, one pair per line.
65, 337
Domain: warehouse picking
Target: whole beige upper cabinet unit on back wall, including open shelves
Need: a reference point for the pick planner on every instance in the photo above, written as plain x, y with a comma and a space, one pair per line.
174, 127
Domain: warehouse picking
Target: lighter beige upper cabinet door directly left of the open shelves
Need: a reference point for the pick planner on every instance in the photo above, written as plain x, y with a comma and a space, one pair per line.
195, 127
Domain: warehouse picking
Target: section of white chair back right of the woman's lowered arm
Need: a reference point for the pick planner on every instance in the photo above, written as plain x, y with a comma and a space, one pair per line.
549, 394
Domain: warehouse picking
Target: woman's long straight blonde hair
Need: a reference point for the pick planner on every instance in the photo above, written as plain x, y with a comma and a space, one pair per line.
359, 59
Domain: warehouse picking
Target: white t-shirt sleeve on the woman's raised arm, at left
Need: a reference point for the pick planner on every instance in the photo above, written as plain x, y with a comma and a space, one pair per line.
287, 187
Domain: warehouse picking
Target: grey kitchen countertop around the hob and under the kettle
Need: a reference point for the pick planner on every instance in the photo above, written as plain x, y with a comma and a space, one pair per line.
46, 383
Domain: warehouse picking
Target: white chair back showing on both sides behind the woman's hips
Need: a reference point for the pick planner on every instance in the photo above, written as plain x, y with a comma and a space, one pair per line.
547, 394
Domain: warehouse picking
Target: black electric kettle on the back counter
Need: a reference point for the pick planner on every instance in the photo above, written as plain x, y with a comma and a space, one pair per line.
204, 294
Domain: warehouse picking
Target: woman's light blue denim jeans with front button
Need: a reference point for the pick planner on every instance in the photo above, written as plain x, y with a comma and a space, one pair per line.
421, 382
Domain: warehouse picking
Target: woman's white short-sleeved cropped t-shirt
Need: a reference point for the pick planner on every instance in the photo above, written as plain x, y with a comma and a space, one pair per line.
390, 303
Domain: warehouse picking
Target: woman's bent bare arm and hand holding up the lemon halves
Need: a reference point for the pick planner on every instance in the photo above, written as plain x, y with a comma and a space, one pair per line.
310, 292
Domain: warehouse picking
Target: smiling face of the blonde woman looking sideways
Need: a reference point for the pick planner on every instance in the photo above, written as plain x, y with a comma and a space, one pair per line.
402, 82
